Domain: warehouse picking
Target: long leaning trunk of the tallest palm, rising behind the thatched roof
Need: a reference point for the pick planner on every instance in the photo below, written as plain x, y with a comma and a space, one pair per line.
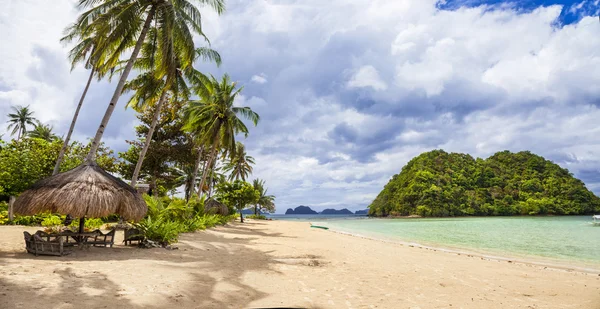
115, 98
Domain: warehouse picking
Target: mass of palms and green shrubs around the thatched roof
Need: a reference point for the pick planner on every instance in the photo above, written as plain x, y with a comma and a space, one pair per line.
189, 126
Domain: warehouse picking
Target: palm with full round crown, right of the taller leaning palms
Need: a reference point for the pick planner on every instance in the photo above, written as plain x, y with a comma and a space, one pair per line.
214, 120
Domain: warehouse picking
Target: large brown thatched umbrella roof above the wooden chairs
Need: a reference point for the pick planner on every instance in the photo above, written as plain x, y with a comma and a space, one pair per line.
85, 191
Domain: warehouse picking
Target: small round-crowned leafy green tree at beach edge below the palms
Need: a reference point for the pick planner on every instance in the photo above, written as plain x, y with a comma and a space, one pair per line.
238, 195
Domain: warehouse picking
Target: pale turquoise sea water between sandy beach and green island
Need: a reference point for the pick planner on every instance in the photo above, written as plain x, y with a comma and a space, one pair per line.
570, 239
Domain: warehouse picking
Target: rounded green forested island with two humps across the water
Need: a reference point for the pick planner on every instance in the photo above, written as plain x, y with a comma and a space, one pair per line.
441, 184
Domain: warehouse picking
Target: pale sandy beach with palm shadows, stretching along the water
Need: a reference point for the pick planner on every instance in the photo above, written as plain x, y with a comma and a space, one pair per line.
262, 264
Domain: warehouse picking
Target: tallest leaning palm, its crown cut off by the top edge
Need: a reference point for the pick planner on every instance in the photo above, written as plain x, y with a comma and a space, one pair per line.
125, 21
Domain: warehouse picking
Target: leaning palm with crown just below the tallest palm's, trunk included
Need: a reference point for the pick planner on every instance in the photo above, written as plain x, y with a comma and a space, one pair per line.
151, 88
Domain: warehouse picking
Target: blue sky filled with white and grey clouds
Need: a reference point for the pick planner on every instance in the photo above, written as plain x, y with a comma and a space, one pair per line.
350, 90
